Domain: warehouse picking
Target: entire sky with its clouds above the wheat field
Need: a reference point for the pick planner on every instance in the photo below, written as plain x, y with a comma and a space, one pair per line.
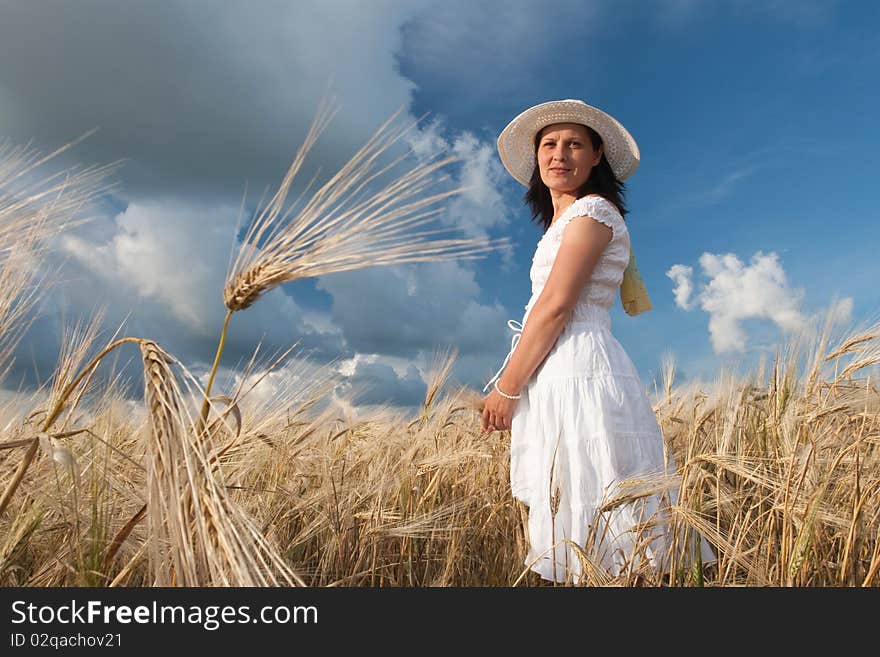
755, 120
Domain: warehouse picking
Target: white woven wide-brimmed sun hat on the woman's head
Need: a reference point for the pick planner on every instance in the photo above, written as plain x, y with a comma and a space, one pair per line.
516, 143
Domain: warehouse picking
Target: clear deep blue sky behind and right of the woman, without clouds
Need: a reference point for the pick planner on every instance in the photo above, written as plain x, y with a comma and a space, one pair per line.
754, 121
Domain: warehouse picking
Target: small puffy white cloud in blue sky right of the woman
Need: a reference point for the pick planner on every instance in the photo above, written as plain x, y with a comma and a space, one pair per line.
736, 292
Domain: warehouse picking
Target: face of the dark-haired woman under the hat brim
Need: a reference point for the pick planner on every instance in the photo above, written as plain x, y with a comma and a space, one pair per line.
566, 156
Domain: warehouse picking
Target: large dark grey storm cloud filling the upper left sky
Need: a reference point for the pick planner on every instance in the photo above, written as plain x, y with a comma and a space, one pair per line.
199, 98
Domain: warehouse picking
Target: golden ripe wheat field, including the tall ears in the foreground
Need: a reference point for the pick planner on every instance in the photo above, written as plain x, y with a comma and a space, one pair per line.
778, 469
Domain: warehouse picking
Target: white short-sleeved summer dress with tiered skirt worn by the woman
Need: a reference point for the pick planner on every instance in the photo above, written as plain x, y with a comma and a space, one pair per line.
584, 423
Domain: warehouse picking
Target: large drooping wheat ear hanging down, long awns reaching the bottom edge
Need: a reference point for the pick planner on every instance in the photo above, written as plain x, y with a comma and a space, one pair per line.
198, 536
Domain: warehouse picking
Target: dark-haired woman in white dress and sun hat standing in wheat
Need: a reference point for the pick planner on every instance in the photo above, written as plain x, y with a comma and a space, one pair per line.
579, 418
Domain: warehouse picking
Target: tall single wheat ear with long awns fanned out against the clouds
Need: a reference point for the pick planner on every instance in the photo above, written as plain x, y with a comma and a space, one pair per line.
345, 224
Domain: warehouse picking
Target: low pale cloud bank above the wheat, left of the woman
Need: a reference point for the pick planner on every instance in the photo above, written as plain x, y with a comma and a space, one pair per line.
162, 264
